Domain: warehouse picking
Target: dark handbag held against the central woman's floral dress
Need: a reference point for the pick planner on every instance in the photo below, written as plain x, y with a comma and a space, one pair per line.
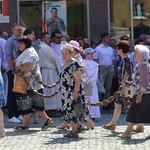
78, 107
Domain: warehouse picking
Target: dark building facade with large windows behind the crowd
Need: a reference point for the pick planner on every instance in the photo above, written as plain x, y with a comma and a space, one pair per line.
85, 18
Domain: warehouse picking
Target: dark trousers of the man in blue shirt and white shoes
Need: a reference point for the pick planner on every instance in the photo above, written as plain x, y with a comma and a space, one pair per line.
11, 100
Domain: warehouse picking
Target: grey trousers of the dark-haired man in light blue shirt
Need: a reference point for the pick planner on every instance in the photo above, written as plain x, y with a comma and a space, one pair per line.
107, 73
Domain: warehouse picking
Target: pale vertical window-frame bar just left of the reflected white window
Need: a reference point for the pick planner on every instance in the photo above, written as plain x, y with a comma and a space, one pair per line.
131, 16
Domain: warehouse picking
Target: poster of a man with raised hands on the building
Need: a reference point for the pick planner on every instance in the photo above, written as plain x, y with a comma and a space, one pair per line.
54, 17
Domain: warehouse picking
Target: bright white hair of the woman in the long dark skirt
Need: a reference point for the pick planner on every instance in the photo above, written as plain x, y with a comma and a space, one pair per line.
143, 50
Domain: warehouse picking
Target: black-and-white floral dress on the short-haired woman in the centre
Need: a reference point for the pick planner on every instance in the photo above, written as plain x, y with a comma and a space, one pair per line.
68, 82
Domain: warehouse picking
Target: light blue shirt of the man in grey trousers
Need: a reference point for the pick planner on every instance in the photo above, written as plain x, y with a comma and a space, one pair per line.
104, 54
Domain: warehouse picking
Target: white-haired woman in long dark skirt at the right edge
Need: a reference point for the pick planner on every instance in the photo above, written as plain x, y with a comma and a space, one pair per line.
139, 111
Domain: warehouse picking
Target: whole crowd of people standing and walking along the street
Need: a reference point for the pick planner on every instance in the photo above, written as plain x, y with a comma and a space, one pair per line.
59, 61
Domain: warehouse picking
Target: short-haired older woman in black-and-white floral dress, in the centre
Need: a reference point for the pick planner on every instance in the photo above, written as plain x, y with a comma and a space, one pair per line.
71, 77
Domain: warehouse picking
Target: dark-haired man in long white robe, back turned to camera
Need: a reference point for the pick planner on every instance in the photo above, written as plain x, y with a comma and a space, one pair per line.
50, 69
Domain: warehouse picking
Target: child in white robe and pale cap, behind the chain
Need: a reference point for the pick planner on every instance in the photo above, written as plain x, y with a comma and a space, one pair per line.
91, 74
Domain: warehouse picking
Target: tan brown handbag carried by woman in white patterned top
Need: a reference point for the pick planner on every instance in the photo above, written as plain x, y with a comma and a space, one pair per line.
20, 85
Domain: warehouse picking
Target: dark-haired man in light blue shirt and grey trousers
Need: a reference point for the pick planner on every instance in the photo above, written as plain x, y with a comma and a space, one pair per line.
104, 56
